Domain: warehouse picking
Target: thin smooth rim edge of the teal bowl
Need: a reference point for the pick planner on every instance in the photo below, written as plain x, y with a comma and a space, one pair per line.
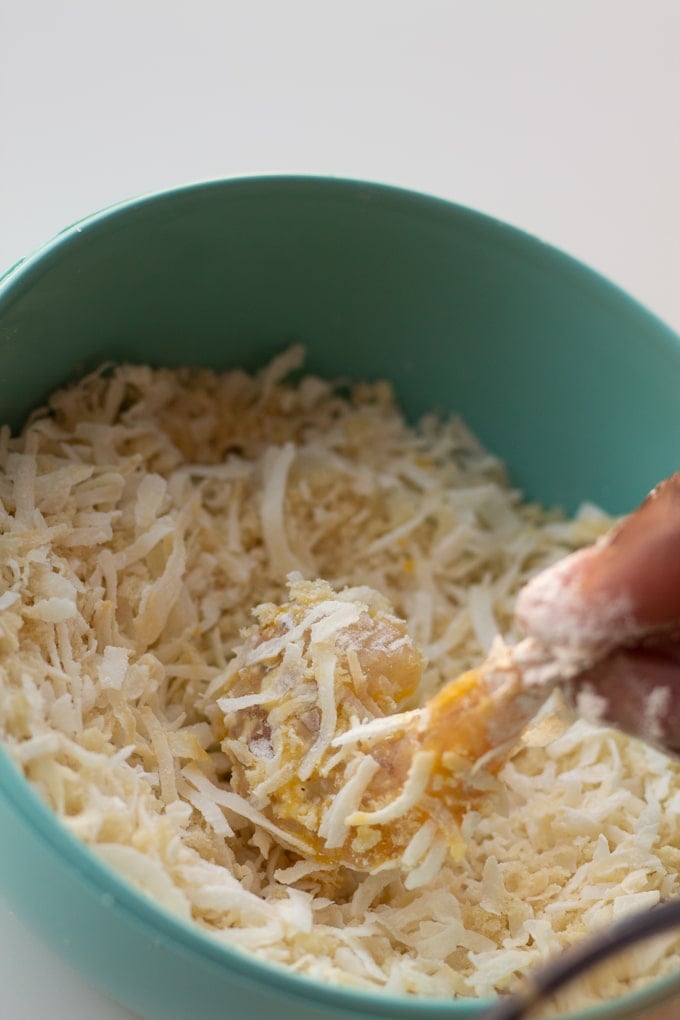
247, 967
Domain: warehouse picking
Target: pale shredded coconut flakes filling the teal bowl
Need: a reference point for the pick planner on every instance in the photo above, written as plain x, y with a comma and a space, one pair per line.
143, 516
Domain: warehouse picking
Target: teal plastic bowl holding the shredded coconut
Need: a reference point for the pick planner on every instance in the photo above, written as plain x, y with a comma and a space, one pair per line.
569, 381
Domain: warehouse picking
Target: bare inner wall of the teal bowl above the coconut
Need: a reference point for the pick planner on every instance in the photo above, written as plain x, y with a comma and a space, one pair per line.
570, 382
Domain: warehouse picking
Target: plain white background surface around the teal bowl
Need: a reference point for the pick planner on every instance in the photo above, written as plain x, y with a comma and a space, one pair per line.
562, 117
